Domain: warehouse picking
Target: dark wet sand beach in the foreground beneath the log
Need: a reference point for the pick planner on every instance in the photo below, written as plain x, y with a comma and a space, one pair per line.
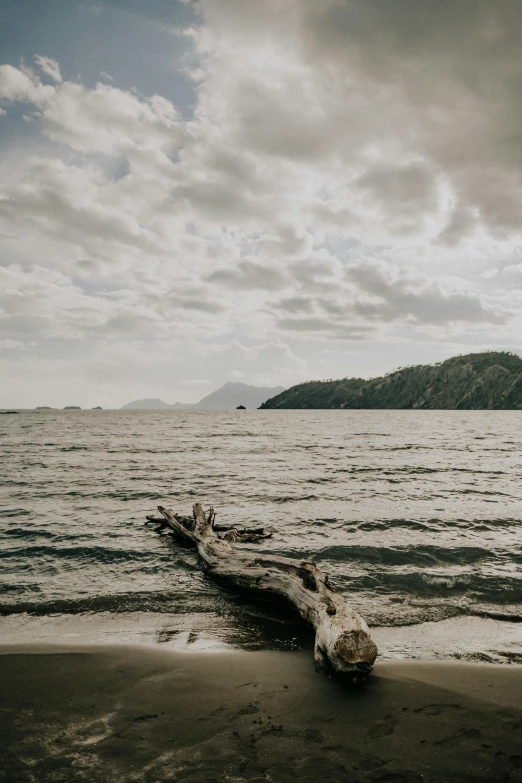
142, 714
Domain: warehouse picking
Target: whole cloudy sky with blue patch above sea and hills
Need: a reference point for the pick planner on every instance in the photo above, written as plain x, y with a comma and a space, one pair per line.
267, 191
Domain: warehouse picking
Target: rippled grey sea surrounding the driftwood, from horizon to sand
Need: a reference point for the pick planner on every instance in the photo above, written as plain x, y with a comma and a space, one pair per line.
416, 515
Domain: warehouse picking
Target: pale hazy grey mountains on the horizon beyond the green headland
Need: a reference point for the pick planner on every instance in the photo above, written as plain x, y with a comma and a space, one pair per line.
228, 397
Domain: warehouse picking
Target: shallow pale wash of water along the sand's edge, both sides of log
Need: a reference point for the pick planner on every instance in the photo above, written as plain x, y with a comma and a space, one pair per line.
462, 638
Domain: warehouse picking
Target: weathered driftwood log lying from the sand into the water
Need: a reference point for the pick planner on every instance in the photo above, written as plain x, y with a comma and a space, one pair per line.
343, 645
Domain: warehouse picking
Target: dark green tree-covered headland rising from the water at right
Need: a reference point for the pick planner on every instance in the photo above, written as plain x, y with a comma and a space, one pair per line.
491, 380
